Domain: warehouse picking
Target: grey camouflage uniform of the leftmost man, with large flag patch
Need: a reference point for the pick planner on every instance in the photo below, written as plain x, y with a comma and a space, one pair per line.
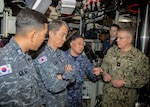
18, 85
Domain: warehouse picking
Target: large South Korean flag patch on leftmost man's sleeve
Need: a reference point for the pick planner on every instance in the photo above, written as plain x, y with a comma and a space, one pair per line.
5, 69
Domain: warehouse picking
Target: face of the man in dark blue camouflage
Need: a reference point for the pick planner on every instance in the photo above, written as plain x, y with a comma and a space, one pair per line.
77, 46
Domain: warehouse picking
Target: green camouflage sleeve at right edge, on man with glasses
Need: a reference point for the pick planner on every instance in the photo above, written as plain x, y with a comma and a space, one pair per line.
141, 74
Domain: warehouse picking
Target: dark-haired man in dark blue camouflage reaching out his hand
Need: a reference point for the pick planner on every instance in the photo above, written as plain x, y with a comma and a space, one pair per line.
83, 67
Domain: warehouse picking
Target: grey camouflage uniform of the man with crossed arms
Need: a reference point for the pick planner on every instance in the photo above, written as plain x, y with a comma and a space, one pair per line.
49, 64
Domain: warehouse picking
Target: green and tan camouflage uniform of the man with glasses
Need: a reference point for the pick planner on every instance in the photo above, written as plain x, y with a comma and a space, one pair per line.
133, 68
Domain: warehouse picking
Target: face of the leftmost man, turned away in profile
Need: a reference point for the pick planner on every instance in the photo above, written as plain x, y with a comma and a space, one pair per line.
40, 37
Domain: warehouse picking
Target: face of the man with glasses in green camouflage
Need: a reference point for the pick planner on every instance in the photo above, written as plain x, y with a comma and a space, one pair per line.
123, 39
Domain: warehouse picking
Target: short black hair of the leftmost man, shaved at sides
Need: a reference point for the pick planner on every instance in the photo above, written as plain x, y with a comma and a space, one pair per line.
28, 18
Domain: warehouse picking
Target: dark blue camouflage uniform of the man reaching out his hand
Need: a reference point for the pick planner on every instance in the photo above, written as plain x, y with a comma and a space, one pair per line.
83, 67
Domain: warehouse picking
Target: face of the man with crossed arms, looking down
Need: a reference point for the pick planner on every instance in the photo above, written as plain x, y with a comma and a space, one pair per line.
59, 37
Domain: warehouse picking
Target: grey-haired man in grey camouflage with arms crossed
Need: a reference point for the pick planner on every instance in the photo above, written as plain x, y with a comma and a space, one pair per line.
54, 68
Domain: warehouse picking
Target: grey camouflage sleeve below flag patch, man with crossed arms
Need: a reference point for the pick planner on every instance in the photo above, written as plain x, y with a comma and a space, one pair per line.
48, 77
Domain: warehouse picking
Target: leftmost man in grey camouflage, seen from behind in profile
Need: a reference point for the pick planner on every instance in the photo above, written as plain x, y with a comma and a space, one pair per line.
18, 85
